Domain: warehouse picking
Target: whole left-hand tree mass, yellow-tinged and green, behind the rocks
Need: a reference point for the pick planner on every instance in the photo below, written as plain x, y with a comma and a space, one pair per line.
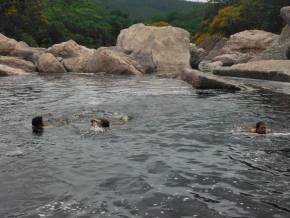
45, 22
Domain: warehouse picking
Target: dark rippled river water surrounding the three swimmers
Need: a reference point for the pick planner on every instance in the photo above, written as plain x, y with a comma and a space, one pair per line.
181, 156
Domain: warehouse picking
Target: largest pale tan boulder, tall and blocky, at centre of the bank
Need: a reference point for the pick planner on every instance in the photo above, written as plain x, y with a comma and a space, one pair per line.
162, 49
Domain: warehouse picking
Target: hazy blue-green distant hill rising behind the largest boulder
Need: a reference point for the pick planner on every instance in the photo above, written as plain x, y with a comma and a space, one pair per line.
146, 9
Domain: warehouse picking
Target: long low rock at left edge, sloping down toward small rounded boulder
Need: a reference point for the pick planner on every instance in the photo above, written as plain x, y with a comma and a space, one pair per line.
15, 62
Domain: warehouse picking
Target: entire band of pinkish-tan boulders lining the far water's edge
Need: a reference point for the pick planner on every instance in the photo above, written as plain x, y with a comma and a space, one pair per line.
164, 51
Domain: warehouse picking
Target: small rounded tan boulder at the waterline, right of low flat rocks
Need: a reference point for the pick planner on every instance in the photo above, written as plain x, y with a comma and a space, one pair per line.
47, 63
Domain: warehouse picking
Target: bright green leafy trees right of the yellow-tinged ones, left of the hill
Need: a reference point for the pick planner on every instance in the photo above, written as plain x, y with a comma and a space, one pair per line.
84, 21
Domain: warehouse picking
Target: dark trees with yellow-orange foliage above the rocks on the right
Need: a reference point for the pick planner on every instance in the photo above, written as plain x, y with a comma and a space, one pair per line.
229, 17
